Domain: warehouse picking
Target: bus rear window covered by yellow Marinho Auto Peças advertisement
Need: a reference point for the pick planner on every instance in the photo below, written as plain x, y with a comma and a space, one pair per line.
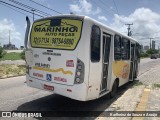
56, 33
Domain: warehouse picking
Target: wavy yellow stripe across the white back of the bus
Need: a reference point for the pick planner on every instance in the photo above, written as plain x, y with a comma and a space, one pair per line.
52, 70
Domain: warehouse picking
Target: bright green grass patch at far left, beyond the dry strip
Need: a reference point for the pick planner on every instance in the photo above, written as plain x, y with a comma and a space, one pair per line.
11, 56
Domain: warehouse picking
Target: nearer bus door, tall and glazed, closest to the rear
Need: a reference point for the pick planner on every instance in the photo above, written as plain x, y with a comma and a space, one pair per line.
105, 61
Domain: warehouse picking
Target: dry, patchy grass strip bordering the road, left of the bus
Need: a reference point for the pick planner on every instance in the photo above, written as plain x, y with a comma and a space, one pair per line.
12, 70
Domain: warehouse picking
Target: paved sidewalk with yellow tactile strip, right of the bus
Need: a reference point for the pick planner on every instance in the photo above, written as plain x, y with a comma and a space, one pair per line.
145, 97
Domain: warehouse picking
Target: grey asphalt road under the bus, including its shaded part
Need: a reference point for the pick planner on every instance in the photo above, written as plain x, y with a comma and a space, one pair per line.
16, 95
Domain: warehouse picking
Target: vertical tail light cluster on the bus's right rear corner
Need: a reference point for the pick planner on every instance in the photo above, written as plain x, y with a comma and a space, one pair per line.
79, 76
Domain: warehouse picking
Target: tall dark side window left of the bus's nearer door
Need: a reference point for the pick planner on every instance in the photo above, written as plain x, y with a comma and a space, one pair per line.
95, 43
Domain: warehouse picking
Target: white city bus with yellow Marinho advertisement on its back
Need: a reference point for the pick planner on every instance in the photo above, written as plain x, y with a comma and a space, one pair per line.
78, 57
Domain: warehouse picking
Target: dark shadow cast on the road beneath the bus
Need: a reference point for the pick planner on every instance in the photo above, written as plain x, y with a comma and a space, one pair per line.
59, 103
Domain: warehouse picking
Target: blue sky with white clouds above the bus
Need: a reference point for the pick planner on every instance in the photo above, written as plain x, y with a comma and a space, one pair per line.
144, 14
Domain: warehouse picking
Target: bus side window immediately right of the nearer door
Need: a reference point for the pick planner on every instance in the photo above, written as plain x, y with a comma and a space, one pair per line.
117, 47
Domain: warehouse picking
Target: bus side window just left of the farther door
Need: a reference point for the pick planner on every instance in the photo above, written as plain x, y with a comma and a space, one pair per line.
125, 49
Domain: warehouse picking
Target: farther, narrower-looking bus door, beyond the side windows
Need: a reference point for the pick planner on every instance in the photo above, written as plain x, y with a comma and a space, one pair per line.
132, 66
